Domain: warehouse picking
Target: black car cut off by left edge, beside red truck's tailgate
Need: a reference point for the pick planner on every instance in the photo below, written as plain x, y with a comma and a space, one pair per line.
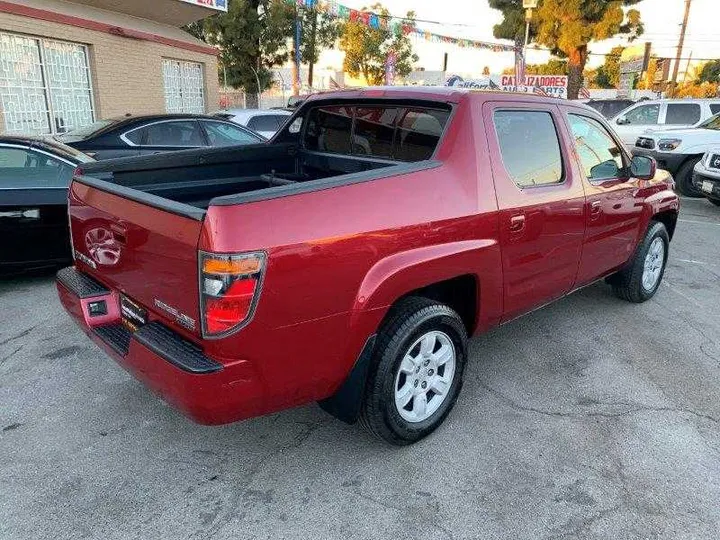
34, 178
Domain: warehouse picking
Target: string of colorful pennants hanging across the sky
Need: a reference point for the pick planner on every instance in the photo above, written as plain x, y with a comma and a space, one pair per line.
395, 24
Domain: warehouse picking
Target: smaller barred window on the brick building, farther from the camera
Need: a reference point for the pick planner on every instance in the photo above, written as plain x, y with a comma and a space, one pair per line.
184, 84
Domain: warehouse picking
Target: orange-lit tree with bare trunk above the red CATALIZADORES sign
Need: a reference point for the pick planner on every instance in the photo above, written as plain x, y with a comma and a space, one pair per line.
567, 27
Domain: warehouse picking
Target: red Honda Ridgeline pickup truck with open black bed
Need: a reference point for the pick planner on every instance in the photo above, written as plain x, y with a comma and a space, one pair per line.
348, 260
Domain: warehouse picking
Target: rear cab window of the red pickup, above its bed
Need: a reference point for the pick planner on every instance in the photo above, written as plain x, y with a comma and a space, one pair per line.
399, 133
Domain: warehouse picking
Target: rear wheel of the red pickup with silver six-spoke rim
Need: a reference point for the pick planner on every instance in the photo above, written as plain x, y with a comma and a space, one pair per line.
416, 371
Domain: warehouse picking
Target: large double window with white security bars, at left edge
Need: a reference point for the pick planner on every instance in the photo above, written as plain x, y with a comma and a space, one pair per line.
45, 86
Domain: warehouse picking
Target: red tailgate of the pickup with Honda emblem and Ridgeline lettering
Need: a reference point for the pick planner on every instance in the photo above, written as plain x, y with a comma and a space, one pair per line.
146, 253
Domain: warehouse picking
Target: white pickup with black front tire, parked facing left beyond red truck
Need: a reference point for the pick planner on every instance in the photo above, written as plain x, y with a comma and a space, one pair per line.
679, 150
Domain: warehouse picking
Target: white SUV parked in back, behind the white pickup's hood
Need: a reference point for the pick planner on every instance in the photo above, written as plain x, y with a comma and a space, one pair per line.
658, 114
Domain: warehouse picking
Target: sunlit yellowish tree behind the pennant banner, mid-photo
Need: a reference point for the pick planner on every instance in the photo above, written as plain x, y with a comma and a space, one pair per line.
366, 49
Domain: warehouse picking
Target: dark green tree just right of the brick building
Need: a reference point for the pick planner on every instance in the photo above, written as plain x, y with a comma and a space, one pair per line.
252, 37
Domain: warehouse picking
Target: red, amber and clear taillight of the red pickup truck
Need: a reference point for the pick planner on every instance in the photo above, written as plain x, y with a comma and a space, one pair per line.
229, 290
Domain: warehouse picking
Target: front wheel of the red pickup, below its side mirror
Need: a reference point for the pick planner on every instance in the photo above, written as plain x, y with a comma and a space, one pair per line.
640, 279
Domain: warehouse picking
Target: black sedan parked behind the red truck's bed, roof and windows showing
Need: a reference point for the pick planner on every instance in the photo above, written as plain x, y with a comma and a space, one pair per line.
153, 134
